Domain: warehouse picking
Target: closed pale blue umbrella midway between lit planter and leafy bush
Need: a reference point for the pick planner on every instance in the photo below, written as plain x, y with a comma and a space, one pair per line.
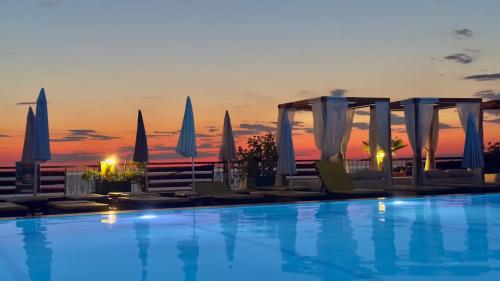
186, 146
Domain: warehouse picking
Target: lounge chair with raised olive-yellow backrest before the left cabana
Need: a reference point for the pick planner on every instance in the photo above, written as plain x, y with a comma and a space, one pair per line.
336, 181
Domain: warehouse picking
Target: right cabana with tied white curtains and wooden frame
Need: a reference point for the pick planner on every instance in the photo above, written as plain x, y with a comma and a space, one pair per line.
422, 128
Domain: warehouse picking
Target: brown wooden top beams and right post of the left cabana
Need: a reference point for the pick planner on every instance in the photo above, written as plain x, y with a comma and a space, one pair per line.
353, 103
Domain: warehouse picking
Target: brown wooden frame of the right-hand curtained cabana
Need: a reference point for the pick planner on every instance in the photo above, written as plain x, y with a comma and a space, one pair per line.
440, 103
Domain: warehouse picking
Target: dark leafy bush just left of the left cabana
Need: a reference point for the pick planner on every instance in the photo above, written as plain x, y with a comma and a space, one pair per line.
257, 162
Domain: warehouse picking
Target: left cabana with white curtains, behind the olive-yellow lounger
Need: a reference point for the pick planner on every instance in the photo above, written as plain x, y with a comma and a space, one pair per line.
333, 120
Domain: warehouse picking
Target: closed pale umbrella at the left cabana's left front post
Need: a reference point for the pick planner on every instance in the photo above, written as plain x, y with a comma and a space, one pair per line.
286, 154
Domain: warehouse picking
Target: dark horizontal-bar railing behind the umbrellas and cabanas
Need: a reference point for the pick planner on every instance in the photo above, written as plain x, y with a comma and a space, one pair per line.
66, 179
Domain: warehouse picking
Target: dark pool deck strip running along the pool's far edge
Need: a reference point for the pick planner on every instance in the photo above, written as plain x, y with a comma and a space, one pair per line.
64, 205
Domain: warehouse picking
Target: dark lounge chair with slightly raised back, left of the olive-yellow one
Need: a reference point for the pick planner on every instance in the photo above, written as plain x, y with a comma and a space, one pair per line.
219, 192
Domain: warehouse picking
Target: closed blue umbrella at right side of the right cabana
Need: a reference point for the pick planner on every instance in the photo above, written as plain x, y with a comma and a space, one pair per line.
473, 154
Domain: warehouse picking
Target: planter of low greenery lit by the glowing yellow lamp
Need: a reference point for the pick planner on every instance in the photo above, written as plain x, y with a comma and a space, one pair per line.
113, 180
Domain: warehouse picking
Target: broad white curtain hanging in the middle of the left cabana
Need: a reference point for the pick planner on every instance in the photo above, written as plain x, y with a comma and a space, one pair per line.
329, 121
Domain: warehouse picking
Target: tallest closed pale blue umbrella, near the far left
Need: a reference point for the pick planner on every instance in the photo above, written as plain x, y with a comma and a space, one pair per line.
41, 150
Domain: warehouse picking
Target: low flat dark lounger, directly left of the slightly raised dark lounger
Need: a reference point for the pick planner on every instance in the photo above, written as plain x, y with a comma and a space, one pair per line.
148, 202
